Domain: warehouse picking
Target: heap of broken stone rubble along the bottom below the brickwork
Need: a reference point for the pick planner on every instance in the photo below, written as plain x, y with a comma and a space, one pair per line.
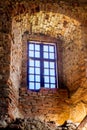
37, 124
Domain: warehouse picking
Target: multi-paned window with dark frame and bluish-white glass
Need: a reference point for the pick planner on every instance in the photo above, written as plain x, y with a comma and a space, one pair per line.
41, 65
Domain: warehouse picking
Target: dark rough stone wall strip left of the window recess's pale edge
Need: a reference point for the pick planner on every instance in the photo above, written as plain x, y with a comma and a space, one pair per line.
5, 47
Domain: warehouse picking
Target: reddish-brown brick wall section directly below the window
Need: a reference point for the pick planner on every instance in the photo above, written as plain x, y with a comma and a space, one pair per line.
47, 104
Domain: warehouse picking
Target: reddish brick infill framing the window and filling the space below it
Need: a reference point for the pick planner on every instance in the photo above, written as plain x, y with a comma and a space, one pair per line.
45, 104
